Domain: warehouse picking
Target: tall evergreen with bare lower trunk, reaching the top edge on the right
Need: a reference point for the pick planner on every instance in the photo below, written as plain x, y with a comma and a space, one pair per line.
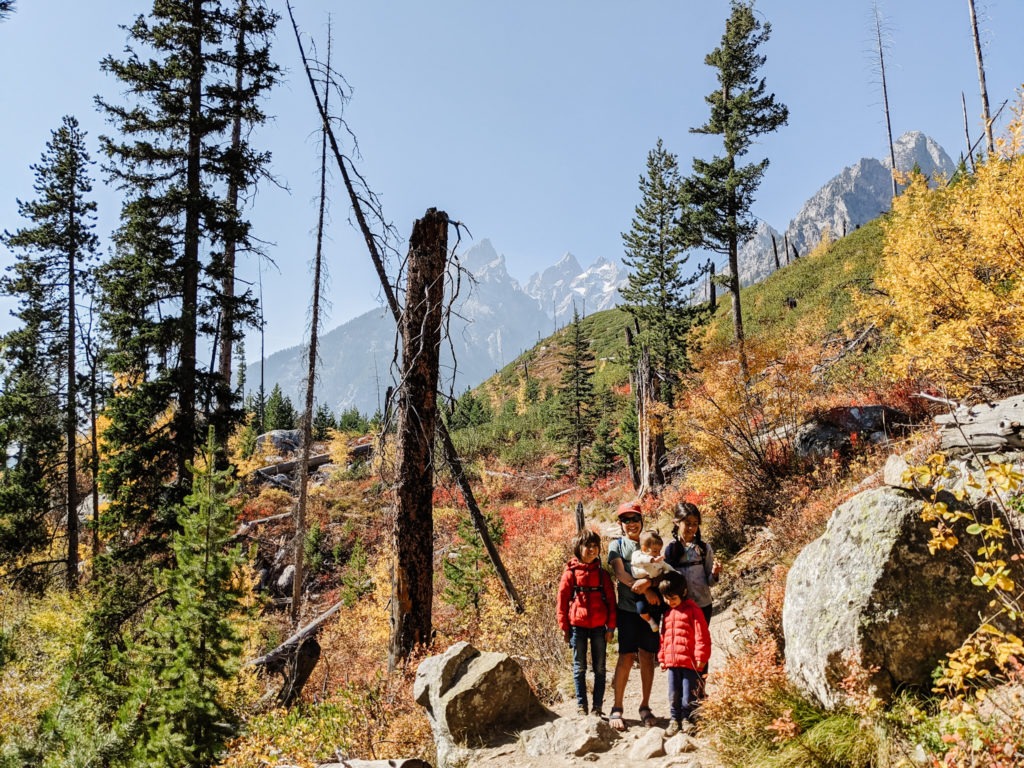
720, 191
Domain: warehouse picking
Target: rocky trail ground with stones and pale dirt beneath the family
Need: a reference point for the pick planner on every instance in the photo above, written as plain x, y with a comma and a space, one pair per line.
637, 747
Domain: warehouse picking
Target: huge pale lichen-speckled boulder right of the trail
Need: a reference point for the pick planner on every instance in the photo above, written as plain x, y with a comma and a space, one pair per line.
869, 594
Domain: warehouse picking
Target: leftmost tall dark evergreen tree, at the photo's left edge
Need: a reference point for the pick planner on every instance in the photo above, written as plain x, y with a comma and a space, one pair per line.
41, 386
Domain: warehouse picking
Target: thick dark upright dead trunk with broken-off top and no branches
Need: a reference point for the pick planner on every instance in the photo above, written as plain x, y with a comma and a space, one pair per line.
412, 575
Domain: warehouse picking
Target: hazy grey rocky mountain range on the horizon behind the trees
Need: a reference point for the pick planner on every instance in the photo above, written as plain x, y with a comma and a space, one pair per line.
495, 318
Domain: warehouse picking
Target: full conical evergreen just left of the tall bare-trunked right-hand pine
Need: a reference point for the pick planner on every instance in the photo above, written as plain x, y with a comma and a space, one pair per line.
657, 294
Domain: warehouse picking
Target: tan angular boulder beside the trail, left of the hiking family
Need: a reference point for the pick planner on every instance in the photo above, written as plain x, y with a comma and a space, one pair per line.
471, 697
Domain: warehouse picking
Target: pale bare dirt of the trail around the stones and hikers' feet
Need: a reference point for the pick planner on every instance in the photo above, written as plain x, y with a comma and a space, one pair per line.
508, 755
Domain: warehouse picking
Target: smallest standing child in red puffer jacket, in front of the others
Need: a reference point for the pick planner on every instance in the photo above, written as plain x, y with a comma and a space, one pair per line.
686, 650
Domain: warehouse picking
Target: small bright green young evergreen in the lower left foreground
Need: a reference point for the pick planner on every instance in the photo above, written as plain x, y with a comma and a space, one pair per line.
191, 646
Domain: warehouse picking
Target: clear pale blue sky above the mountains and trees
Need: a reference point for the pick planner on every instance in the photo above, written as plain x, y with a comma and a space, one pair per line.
530, 121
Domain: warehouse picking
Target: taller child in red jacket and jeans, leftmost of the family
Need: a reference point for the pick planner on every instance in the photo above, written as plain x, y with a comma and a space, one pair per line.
587, 616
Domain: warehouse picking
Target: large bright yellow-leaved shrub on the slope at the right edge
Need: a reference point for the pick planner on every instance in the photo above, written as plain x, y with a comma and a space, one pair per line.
952, 286
